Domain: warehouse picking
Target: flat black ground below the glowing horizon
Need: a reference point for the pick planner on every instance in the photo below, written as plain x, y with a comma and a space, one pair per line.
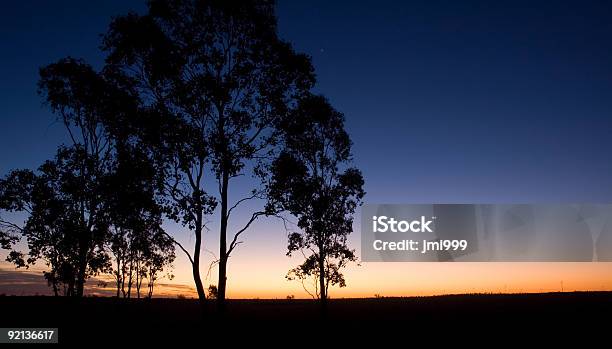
454, 318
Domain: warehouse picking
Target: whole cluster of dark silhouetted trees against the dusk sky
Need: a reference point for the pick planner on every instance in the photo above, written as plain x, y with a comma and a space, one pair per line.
191, 93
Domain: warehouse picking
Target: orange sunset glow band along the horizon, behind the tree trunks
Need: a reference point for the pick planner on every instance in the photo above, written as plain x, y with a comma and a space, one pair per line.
250, 277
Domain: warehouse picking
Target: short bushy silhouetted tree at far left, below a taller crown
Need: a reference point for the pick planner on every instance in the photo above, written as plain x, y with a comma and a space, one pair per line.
55, 227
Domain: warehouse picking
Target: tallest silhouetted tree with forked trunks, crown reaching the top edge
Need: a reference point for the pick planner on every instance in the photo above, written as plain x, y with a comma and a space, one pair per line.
215, 79
